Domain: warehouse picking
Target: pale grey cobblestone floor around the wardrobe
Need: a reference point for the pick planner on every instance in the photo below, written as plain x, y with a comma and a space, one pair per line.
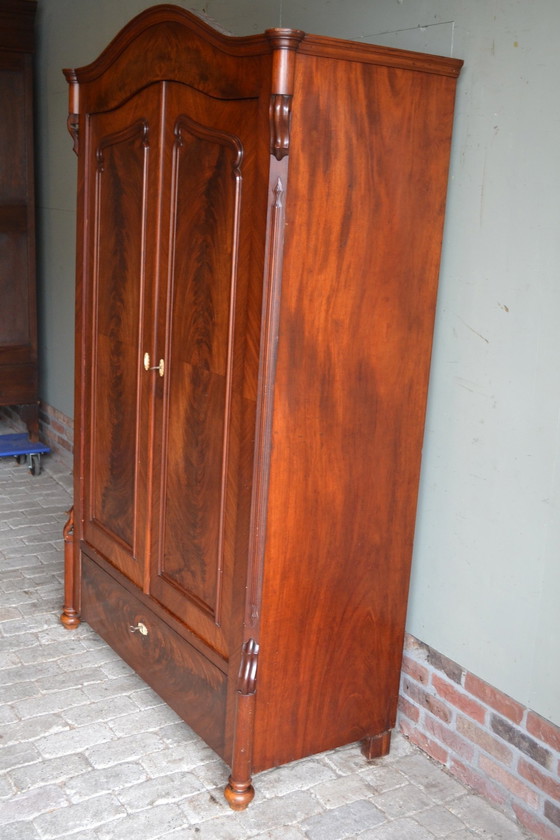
88, 751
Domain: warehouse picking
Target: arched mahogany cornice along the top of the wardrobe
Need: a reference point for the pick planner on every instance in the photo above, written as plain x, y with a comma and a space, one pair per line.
169, 43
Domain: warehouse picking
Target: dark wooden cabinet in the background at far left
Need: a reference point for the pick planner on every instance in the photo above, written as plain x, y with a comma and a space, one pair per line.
18, 307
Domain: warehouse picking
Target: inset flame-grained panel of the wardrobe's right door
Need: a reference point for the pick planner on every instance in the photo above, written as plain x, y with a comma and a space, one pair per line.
207, 167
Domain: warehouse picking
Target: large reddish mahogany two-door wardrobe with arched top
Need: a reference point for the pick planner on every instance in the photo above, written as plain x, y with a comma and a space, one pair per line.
259, 232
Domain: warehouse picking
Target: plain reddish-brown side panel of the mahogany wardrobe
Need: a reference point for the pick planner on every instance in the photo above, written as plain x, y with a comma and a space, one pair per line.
368, 171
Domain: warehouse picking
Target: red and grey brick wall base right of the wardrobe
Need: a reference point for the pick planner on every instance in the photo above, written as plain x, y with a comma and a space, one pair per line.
495, 745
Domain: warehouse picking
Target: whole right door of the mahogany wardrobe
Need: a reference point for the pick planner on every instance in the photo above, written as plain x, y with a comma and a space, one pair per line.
206, 403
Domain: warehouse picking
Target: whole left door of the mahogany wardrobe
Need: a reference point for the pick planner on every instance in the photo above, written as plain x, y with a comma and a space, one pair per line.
119, 273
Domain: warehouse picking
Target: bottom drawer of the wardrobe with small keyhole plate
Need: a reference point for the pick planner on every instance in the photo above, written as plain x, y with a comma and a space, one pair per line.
182, 676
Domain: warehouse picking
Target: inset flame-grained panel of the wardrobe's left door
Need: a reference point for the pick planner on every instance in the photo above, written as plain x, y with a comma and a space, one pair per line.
119, 206
